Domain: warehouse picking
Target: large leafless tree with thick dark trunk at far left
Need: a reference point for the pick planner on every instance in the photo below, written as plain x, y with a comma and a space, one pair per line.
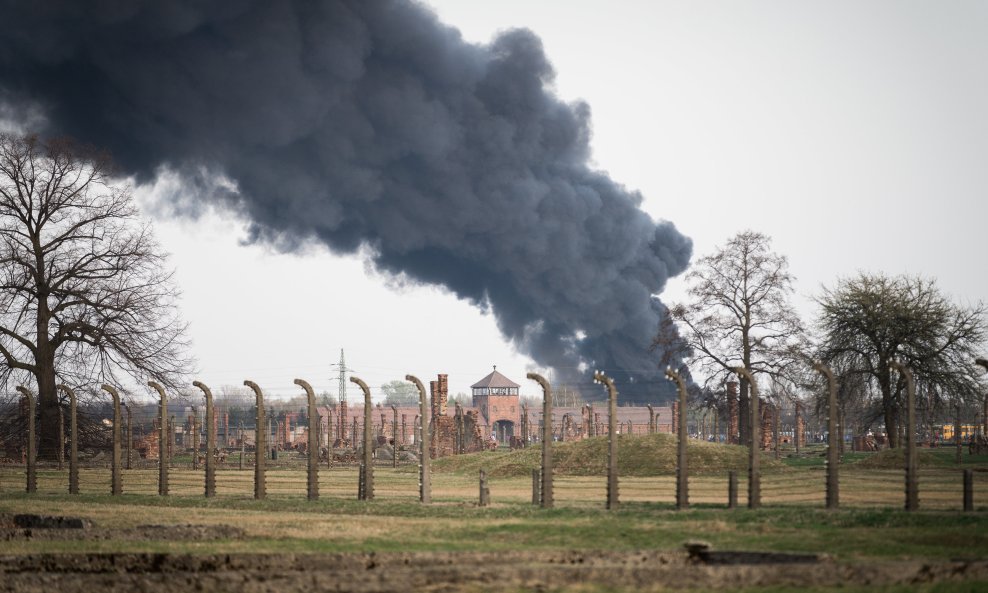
84, 293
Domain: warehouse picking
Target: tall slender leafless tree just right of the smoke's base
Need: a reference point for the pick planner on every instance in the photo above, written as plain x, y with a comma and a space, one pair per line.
739, 314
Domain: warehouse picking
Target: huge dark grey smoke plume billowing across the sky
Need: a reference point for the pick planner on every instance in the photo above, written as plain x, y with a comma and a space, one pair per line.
369, 123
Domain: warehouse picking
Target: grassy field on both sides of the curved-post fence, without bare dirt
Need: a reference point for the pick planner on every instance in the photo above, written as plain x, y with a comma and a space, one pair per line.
870, 525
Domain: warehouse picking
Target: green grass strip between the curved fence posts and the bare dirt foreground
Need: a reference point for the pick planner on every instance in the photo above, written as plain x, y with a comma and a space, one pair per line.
293, 524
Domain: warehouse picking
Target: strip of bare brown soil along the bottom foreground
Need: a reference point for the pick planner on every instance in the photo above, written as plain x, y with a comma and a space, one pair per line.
370, 572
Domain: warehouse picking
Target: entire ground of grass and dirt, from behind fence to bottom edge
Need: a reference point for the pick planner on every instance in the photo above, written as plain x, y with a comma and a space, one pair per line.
184, 542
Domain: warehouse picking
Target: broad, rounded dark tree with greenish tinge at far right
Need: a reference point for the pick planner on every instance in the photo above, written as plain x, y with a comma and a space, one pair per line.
871, 320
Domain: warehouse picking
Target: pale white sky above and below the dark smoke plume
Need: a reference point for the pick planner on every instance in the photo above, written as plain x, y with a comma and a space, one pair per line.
853, 133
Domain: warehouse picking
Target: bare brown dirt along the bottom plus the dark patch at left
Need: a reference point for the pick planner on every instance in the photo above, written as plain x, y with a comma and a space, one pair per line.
695, 567
